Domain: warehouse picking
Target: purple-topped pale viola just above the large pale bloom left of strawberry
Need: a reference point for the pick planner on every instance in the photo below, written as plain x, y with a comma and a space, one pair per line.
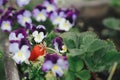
17, 35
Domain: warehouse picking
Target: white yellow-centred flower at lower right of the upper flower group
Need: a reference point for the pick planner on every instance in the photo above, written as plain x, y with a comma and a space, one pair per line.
66, 25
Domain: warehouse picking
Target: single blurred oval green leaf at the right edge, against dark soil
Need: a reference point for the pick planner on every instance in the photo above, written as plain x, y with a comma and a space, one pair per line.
112, 23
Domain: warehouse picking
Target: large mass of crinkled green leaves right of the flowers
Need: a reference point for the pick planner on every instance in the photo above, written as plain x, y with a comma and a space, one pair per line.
97, 54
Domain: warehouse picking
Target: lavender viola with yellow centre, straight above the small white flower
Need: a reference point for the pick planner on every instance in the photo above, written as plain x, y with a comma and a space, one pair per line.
40, 15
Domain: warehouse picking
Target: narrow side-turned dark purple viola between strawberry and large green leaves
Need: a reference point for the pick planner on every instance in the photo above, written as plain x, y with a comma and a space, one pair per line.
58, 44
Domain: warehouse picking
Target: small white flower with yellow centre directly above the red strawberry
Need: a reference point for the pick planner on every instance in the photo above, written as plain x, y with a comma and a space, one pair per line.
38, 37
